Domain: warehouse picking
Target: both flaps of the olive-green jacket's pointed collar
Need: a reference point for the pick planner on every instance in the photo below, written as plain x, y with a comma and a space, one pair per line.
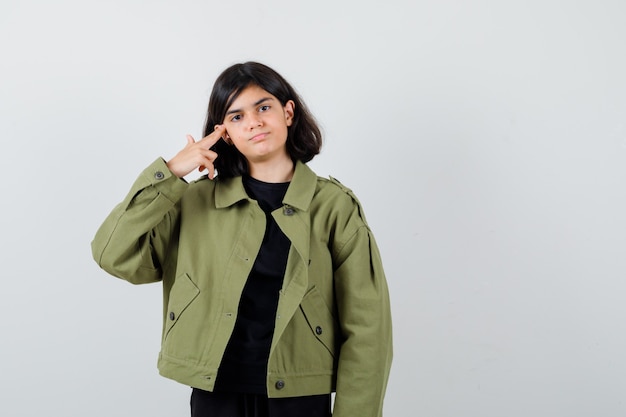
299, 194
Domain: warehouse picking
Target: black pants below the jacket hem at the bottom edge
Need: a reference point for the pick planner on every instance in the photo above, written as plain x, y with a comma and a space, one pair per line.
226, 404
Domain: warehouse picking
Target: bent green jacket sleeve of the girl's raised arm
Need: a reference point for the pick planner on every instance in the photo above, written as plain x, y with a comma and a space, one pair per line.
131, 242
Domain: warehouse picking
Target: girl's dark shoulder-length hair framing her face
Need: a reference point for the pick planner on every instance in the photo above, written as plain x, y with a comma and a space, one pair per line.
304, 139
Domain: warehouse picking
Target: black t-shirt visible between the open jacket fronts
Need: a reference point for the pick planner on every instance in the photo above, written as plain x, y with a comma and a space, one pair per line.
244, 365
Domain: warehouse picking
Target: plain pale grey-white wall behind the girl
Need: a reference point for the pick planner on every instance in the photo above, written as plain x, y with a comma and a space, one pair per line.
486, 140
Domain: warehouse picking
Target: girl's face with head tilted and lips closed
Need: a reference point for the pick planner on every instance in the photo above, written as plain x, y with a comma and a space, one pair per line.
256, 123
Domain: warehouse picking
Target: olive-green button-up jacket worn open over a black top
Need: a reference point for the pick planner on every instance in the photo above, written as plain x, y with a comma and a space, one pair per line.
333, 323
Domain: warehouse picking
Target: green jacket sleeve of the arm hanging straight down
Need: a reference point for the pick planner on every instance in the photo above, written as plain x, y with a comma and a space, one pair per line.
365, 321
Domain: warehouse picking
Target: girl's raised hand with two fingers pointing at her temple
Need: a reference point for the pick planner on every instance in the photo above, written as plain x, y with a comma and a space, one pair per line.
197, 154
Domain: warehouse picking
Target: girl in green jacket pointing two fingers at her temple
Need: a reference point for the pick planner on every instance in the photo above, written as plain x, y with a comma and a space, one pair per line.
274, 292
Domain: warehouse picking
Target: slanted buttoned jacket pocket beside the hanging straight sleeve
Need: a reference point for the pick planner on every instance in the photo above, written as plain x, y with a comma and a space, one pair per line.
321, 321
